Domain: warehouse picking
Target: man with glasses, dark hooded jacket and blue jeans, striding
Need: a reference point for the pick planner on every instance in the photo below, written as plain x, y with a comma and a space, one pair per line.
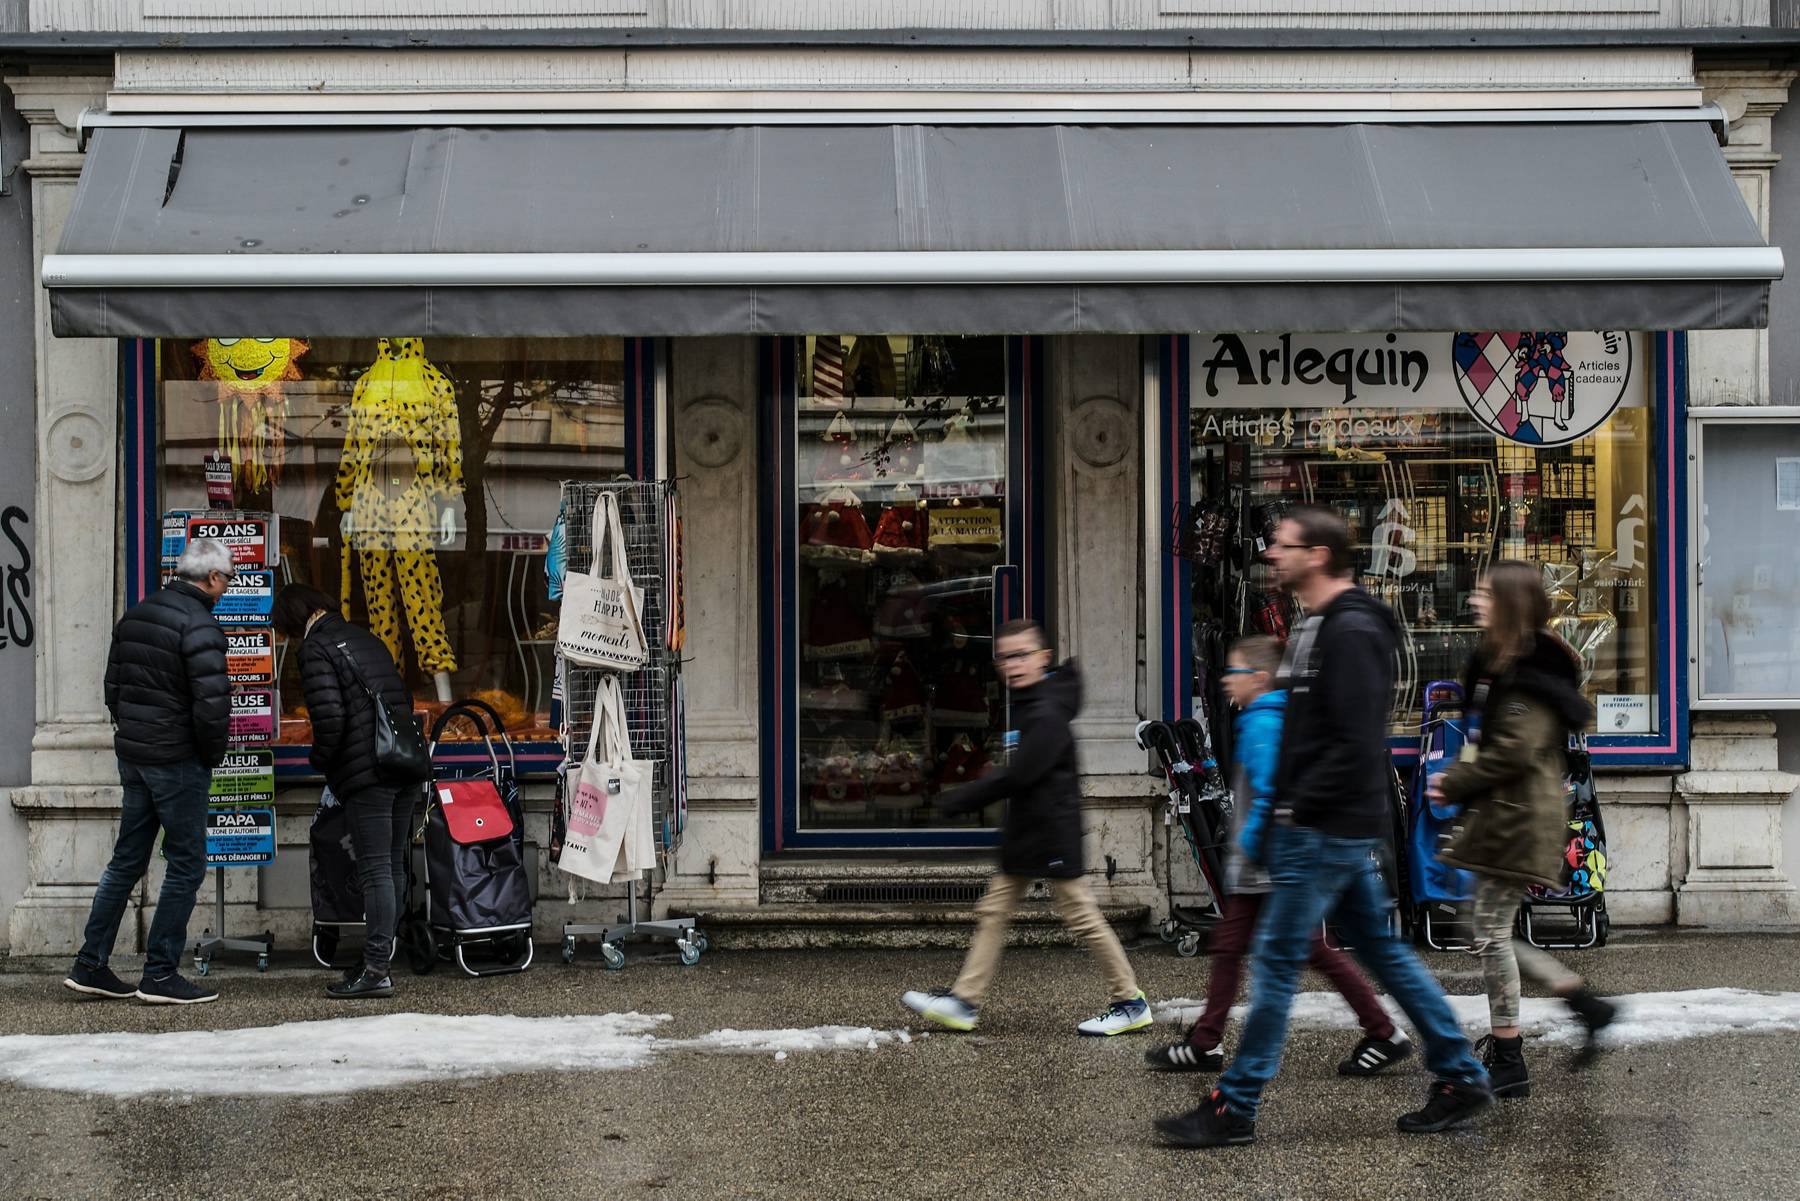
1331, 818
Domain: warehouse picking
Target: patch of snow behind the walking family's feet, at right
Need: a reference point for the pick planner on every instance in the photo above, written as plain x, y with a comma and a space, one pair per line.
1642, 1016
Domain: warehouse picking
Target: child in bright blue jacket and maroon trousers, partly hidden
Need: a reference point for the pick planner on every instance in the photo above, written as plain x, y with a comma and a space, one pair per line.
1250, 683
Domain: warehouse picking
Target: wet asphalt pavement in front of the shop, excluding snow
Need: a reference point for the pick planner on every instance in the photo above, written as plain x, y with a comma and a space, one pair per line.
1021, 1108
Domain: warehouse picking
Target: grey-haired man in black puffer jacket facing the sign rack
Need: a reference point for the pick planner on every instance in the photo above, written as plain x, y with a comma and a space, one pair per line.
170, 701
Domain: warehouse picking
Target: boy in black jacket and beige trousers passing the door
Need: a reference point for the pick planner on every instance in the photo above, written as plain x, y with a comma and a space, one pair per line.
1041, 838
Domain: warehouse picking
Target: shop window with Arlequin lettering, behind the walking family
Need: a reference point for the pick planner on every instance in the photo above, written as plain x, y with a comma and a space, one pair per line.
1444, 453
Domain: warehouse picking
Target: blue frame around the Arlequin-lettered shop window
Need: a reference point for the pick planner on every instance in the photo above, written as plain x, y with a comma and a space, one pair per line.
1666, 748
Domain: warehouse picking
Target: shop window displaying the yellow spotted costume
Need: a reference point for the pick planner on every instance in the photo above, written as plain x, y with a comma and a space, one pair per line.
413, 478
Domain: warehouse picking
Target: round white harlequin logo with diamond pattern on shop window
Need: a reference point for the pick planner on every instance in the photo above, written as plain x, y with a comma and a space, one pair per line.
1543, 388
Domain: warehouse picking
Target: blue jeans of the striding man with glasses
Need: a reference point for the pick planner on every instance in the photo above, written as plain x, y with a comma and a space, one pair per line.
1317, 876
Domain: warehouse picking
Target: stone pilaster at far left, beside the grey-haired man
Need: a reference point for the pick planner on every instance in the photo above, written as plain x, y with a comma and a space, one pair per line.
73, 800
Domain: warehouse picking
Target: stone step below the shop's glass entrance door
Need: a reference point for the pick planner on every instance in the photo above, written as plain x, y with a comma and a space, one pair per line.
924, 925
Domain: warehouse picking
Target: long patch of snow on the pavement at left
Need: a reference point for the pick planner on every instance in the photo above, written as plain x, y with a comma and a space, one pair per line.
390, 1051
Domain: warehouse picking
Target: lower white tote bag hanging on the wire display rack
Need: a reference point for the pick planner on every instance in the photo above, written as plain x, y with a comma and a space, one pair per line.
609, 826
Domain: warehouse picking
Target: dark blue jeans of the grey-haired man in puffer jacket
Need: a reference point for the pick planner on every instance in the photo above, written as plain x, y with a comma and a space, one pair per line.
157, 797
